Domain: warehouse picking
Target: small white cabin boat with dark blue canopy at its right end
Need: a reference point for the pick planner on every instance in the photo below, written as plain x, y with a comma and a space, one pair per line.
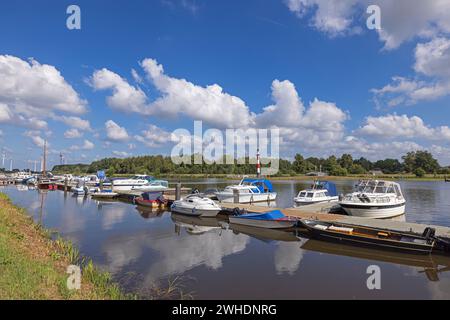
319, 192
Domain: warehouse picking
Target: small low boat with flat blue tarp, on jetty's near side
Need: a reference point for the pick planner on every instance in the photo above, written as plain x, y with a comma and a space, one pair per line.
272, 220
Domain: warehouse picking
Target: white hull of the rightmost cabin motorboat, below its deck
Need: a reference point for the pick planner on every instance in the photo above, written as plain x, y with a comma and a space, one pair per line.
375, 211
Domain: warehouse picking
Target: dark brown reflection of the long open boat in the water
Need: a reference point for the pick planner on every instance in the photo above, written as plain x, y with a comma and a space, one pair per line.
431, 265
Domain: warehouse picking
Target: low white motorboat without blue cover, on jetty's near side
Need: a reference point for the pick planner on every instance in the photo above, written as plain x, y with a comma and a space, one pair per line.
196, 205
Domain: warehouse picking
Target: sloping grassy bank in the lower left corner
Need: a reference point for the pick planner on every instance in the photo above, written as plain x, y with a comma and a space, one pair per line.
33, 266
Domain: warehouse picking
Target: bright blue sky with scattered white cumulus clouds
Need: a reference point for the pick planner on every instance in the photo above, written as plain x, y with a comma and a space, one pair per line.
138, 70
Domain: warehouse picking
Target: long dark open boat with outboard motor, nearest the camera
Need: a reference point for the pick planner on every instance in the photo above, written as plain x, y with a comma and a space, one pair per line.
374, 237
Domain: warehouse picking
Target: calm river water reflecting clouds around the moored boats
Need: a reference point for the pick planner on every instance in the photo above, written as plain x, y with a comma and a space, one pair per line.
143, 248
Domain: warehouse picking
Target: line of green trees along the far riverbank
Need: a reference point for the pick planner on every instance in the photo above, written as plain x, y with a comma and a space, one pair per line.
416, 162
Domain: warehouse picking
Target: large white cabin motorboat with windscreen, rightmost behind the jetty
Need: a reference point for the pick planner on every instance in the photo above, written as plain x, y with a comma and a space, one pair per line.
375, 199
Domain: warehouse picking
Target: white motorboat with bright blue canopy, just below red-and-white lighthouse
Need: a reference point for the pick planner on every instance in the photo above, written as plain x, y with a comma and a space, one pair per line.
248, 191
